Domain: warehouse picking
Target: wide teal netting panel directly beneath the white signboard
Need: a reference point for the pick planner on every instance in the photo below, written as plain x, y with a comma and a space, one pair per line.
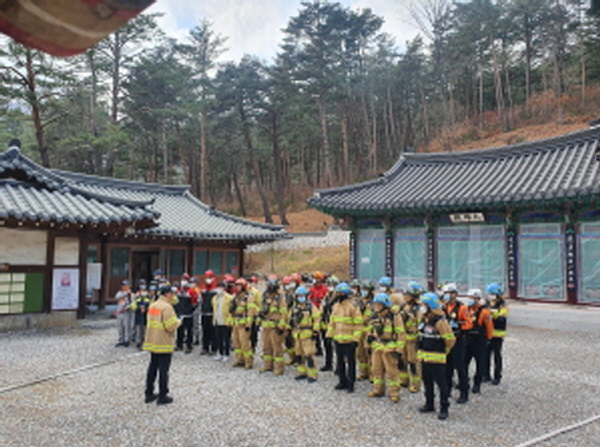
471, 256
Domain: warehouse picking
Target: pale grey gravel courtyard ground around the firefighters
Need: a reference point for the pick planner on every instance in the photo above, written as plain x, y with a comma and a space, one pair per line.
551, 381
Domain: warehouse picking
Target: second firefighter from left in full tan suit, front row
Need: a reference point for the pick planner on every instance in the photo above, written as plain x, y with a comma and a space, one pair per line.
272, 318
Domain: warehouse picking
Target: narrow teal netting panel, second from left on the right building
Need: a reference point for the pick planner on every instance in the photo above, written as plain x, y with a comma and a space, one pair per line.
410, 256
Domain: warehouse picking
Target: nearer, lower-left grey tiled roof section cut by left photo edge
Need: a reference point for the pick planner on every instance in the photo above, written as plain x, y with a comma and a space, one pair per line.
31, 193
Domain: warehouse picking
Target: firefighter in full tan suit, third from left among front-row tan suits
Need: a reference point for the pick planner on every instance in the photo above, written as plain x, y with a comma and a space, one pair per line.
305, 323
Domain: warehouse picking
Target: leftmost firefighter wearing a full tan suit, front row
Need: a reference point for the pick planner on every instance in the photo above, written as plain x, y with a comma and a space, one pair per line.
243, 311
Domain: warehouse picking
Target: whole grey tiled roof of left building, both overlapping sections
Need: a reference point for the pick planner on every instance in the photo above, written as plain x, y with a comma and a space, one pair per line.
176, 212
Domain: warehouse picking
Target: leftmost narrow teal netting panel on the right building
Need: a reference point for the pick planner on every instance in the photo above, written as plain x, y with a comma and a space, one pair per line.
370, 259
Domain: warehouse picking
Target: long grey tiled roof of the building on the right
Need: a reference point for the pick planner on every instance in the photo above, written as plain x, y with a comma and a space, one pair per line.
544, 171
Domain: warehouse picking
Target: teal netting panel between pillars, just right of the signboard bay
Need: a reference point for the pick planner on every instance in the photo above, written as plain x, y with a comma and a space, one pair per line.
541, 261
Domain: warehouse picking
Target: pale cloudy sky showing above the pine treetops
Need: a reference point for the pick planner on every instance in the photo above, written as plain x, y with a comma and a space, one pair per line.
254, 26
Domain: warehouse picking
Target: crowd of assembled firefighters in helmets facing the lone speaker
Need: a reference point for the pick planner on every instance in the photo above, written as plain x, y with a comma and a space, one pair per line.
406, 338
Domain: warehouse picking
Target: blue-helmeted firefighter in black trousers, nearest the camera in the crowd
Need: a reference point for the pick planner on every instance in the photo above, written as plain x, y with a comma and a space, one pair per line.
436, 339
